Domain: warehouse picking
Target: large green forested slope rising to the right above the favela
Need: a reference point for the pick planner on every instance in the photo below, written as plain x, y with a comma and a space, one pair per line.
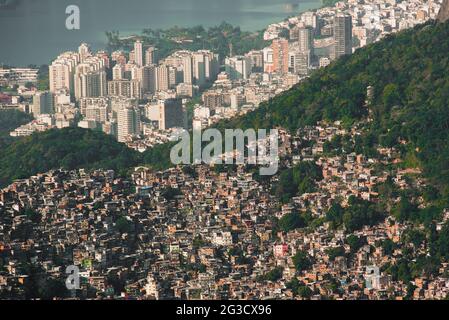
406, 70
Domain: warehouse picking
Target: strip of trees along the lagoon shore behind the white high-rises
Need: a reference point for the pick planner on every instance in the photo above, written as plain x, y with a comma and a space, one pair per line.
218, 39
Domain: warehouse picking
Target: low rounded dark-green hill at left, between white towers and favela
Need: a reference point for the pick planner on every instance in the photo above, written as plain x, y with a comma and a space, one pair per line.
68, 148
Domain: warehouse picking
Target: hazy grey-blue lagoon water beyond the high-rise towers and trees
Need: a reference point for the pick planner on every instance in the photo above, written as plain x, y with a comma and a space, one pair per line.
33, 31
